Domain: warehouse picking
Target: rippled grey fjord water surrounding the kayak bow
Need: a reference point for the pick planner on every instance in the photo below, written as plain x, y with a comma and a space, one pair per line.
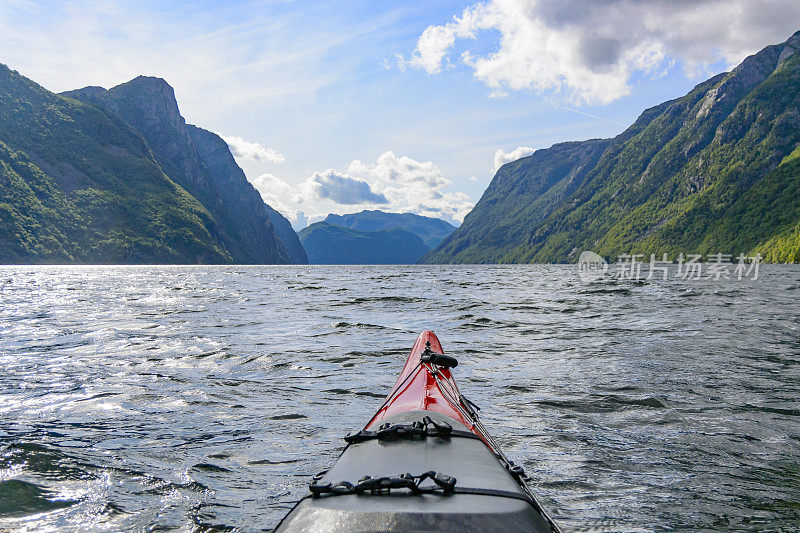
195, 398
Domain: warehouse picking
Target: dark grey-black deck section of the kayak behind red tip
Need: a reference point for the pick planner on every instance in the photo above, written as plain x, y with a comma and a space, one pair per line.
469, 460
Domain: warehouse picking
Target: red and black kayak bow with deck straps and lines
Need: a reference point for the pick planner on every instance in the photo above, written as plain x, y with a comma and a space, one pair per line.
423, 462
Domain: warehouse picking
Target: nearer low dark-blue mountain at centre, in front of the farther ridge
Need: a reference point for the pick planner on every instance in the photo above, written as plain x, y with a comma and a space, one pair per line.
330, 244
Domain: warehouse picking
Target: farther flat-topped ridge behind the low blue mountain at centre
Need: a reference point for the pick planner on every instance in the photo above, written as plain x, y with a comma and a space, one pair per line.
430, 230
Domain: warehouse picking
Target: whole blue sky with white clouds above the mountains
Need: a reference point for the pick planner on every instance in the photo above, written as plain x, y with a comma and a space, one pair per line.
335, 107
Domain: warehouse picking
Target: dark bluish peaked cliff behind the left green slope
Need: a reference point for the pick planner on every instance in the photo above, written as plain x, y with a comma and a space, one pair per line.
197, 160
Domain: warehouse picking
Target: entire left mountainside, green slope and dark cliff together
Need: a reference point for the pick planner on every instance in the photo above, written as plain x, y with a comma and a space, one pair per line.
117, 176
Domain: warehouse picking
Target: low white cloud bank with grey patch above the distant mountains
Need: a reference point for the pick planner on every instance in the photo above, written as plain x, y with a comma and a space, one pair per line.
392, 183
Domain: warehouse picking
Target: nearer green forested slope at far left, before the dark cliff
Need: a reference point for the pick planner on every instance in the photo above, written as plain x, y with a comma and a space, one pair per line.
78, 184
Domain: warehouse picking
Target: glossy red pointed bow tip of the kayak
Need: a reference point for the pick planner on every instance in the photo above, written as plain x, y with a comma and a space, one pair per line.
418, 388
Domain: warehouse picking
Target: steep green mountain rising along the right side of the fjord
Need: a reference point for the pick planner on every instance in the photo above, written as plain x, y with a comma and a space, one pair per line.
715, 171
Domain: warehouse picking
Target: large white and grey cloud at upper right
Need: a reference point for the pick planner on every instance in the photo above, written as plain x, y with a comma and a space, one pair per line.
588, 51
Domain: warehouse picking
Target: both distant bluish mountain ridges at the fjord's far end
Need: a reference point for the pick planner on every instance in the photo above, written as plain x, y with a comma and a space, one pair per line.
372, 237
